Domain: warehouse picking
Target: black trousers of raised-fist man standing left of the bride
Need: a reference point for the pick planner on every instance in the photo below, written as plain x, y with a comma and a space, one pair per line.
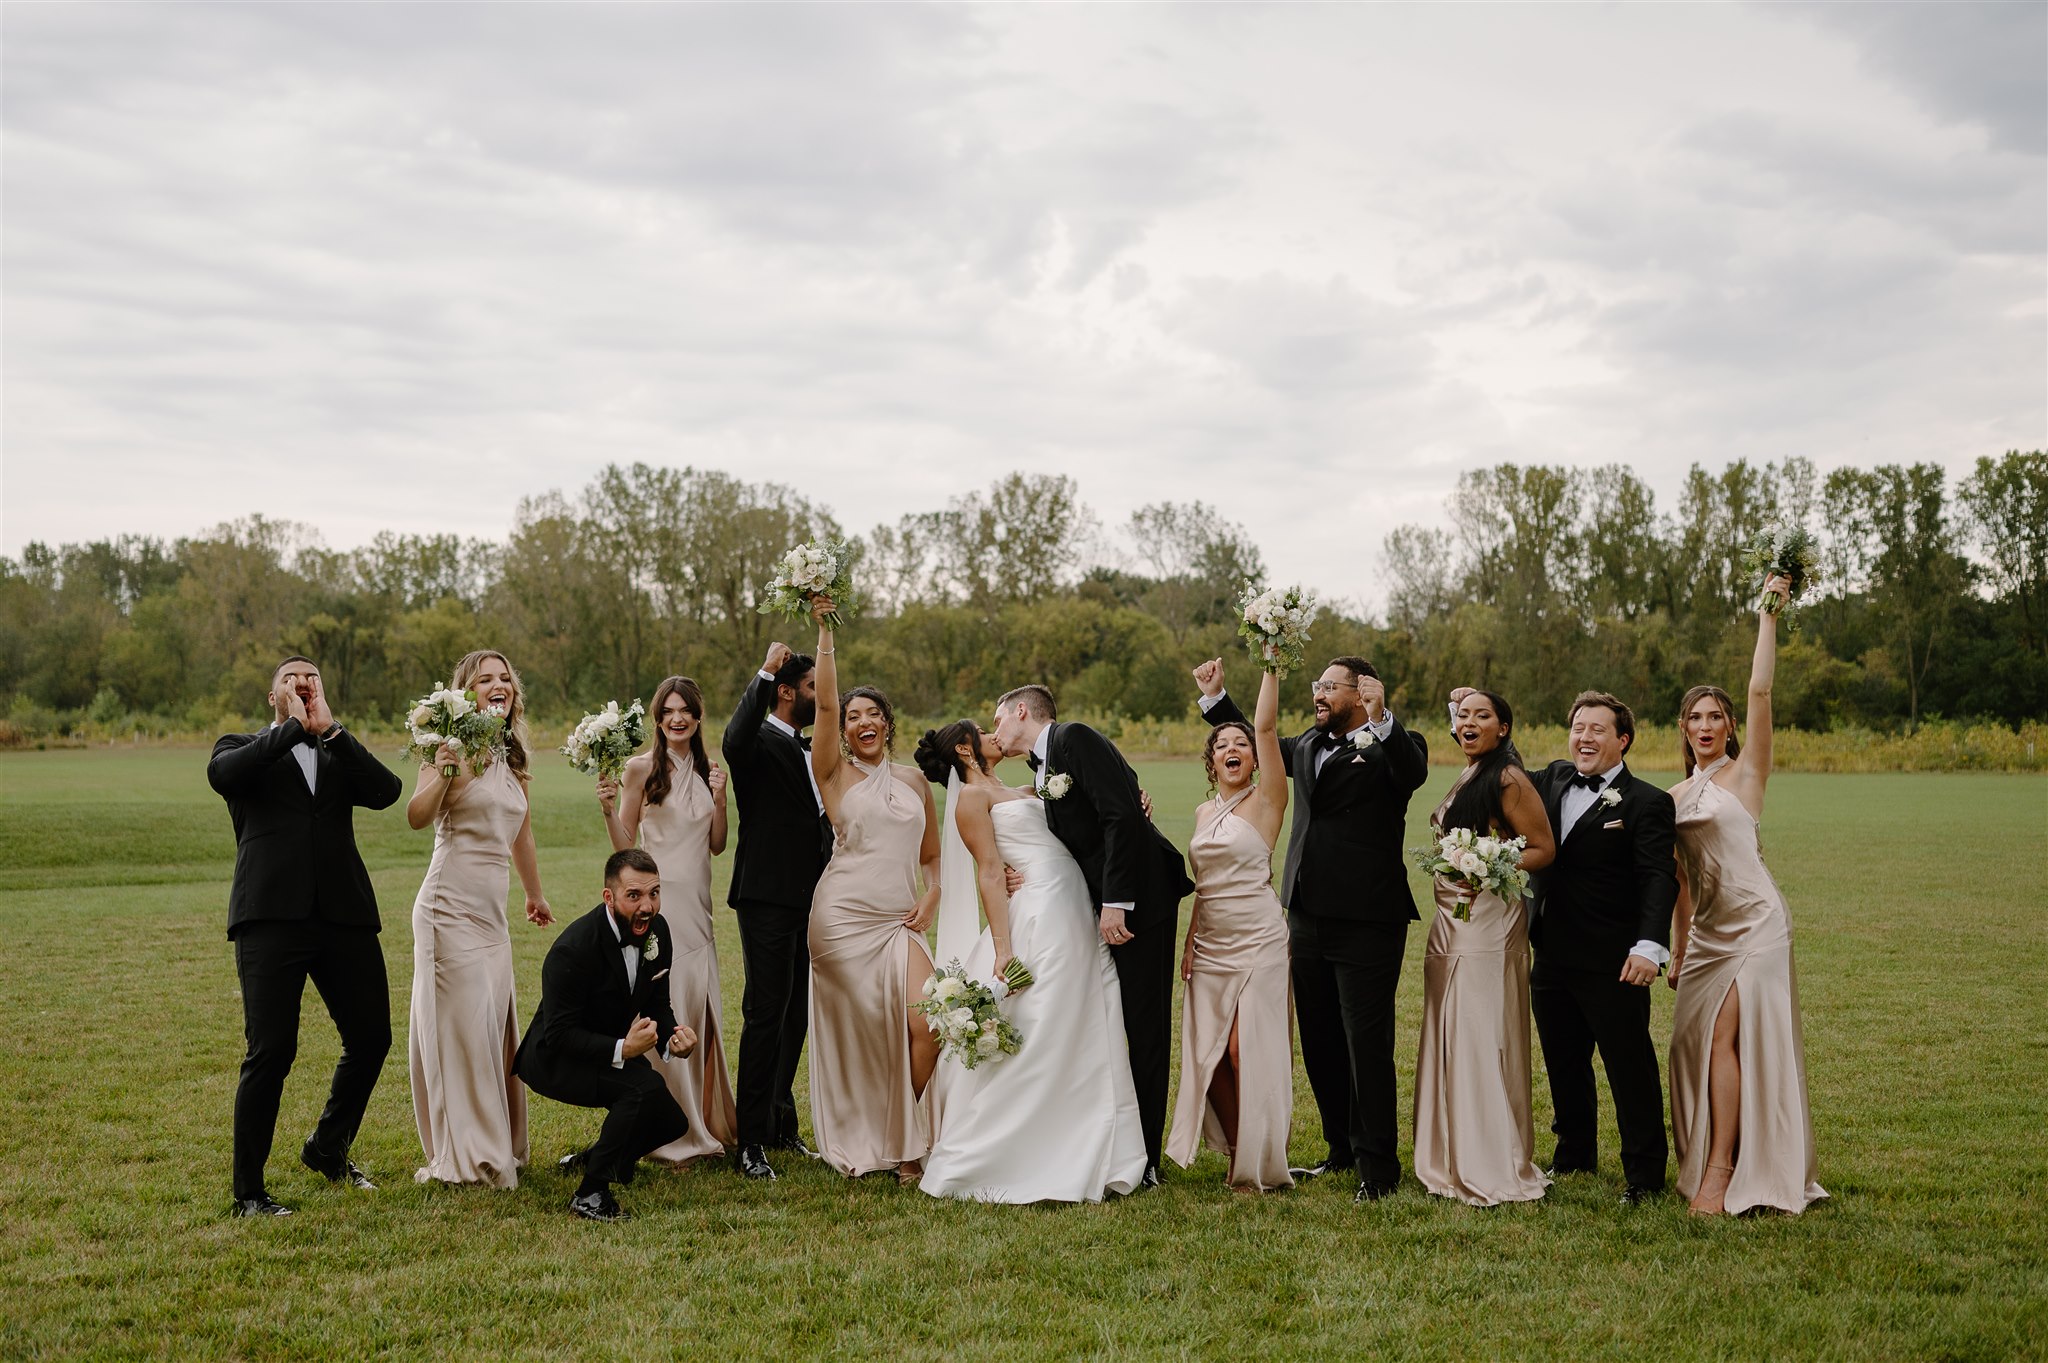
775, 1014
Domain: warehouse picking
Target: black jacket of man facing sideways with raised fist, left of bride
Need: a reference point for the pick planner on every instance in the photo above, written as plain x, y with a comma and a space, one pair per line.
785, 840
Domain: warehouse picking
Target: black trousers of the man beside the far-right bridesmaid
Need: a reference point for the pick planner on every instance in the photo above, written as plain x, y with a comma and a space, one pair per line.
1576, 1012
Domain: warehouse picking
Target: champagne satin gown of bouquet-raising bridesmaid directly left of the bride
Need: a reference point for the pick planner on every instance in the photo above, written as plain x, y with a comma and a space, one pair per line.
863, 1104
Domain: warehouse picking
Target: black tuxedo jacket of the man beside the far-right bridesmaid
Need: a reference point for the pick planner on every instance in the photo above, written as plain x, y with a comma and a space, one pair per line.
1613, 883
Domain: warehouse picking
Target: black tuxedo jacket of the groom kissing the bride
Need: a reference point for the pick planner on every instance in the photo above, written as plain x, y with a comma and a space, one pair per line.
1103, 824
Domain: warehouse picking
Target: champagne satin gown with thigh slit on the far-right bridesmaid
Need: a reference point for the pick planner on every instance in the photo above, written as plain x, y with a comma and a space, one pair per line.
1742, 940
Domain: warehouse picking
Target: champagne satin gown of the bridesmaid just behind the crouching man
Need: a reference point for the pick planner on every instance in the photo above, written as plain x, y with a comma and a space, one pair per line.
677, 834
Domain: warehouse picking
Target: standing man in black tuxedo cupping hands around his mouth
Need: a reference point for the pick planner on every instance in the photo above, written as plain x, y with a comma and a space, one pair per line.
302, 910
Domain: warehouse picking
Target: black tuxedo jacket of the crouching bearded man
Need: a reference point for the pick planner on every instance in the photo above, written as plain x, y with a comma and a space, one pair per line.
587, 1006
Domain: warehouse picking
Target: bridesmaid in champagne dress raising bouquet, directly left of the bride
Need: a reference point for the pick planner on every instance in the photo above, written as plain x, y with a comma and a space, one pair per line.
871, 1053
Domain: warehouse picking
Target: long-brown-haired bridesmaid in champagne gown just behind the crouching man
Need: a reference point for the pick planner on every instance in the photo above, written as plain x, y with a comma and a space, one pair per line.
673, 803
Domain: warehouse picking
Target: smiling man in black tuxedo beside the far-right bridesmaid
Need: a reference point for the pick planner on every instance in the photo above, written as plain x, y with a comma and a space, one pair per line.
1603, 934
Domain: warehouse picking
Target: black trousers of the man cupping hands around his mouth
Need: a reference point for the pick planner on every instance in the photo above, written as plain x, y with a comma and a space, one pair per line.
273, 961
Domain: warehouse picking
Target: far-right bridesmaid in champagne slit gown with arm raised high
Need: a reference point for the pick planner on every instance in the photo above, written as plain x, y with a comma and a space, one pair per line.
1740, 1118
